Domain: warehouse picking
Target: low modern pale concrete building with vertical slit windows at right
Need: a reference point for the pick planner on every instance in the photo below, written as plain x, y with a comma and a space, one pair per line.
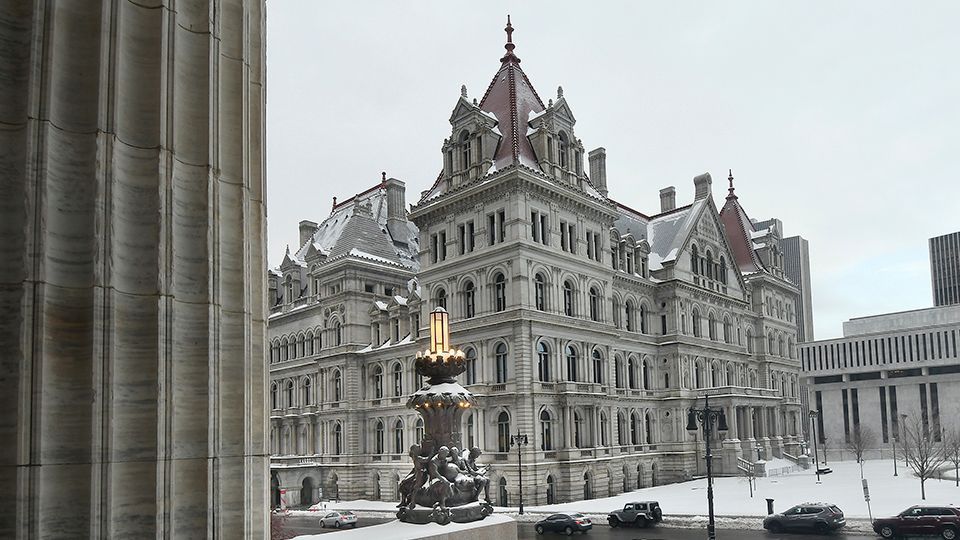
885, 366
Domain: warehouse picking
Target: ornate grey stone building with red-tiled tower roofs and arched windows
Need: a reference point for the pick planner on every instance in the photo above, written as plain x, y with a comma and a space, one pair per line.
589, 326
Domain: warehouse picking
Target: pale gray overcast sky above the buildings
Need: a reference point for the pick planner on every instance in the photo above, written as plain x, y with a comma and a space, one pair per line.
840, 118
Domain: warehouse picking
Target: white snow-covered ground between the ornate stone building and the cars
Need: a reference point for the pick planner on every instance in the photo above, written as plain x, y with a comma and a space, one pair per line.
888, 495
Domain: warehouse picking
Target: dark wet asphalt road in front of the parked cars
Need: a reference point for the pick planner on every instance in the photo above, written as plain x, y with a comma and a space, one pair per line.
659, 533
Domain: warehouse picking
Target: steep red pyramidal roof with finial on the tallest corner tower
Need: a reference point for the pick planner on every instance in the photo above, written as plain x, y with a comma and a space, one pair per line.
510, 97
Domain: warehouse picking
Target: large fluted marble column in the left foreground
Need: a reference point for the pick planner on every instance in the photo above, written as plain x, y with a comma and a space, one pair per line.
132, 220
